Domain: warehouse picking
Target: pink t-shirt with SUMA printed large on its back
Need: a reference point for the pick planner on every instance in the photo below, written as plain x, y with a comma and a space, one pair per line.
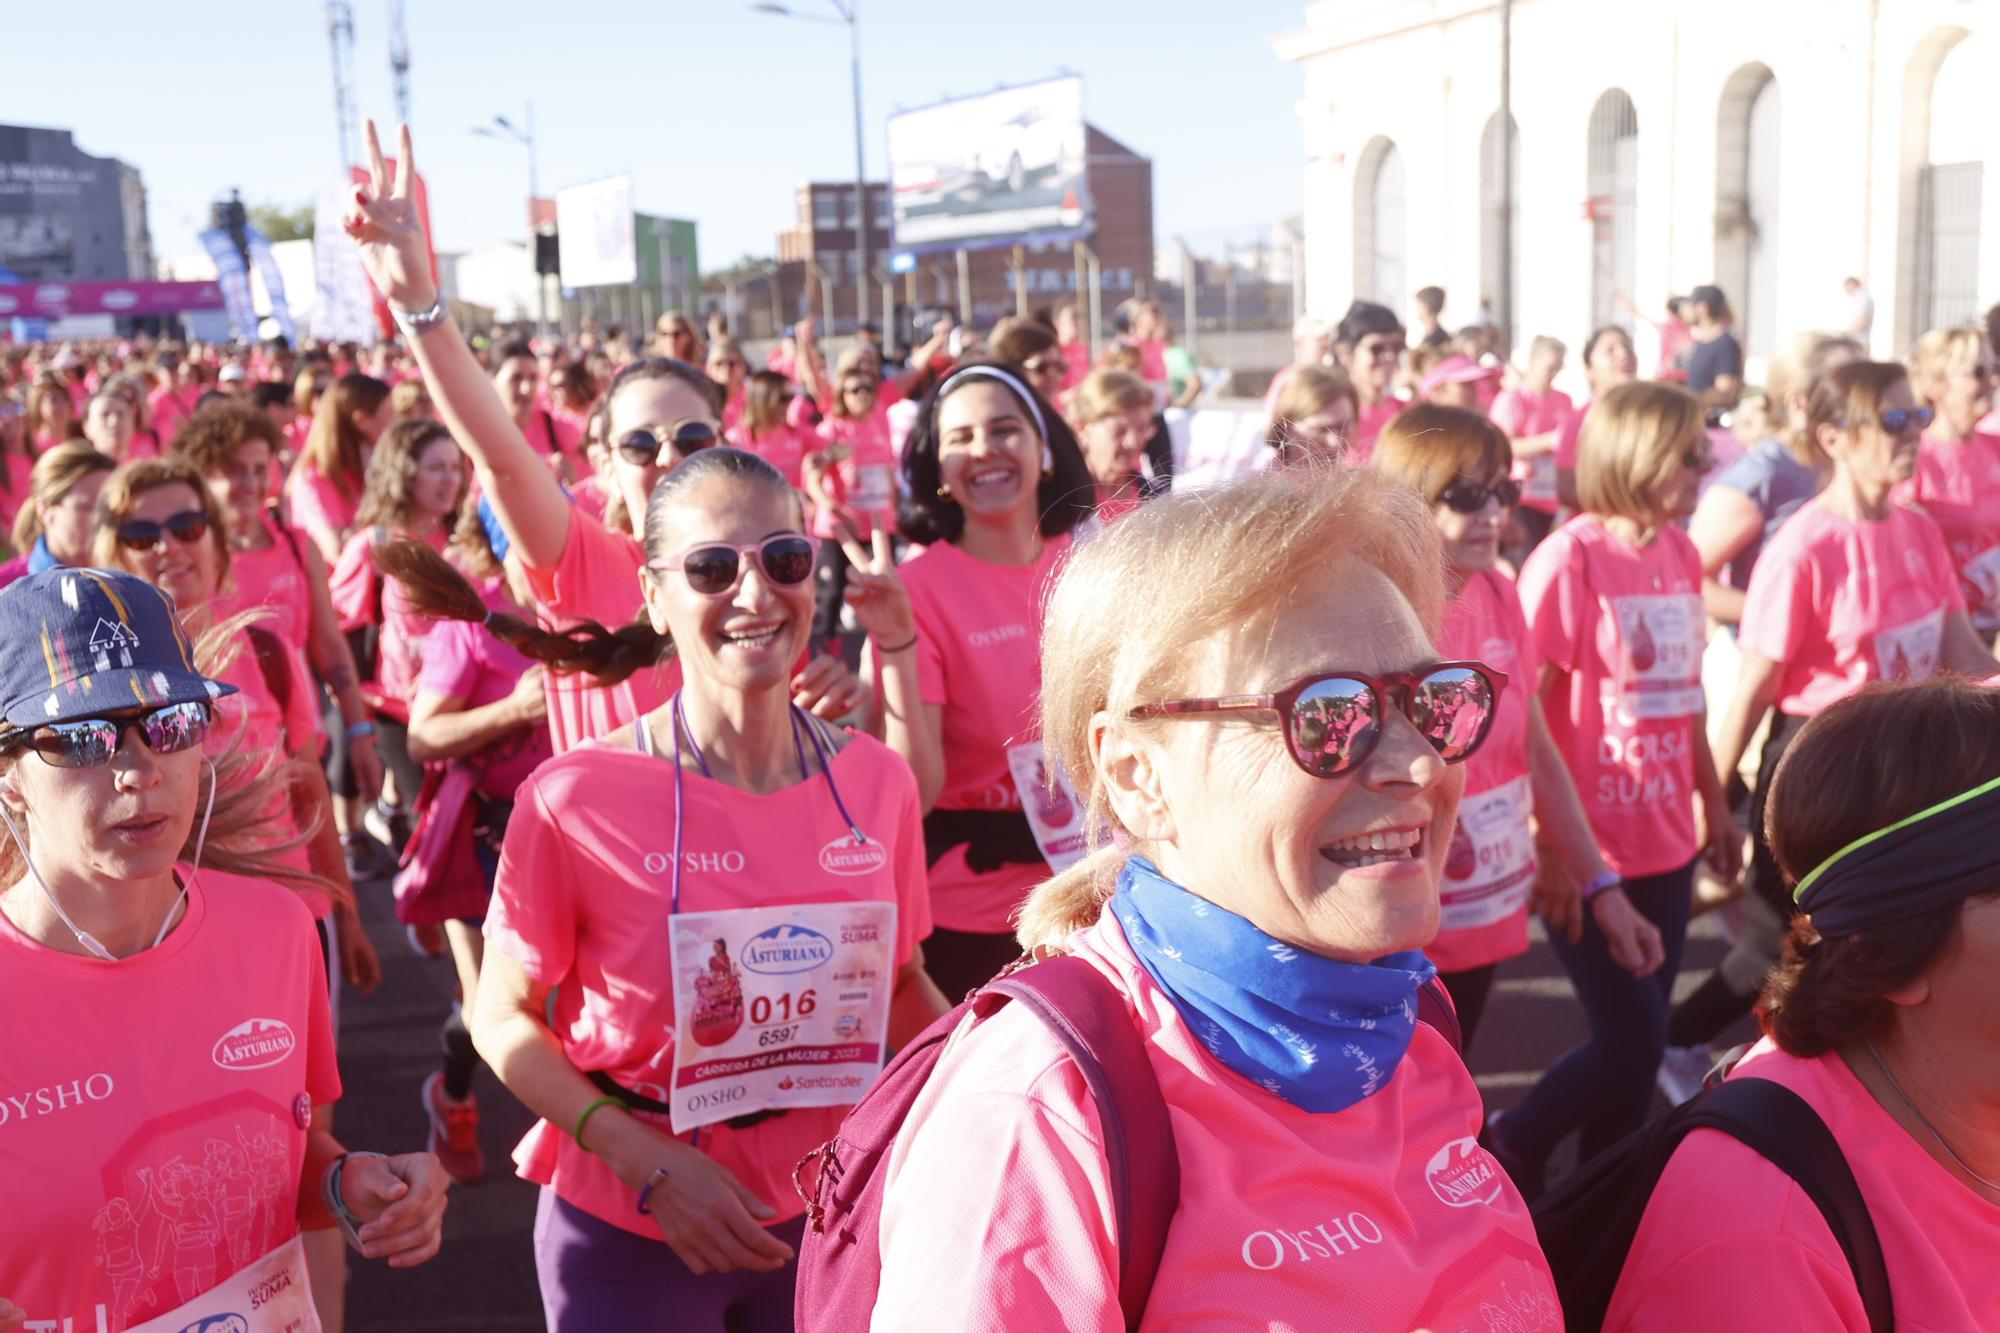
1627, 627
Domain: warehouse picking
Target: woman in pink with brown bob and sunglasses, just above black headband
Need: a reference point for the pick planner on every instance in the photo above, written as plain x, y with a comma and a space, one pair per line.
1853, 589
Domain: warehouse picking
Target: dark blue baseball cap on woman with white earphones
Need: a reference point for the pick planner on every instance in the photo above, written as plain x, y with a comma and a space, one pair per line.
91, 641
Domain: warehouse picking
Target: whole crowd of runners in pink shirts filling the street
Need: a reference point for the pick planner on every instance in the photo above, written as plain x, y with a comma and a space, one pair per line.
725, 724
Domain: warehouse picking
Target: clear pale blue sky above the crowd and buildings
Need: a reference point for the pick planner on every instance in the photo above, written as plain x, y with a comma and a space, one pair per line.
715, 111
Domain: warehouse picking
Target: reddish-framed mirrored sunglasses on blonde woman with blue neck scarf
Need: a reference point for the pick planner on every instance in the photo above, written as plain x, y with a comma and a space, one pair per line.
1333, 722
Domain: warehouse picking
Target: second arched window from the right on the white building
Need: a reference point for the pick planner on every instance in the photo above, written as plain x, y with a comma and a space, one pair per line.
1747, 205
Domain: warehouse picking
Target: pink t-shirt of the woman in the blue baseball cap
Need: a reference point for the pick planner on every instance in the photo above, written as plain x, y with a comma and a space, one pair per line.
141, 1160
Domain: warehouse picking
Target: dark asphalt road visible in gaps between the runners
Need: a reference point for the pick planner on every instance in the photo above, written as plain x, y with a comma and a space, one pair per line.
485, 1278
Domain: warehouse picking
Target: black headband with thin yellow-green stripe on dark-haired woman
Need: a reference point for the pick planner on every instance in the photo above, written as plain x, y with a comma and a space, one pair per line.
1941, 856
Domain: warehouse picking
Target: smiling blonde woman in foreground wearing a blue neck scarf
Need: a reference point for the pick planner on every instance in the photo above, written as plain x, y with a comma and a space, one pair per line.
1275, 752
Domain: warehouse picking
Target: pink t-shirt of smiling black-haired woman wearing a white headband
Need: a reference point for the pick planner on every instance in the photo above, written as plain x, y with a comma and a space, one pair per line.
979, 631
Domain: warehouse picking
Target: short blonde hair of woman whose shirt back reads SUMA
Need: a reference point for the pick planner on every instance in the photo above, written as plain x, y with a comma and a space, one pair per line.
1631, 445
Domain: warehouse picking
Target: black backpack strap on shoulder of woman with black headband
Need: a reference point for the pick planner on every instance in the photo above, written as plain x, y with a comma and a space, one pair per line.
1789, 1134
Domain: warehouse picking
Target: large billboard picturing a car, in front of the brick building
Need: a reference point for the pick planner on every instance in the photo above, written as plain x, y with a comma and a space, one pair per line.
999, 169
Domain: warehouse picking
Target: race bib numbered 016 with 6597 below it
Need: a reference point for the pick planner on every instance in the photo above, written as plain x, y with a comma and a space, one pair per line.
779, 1008
